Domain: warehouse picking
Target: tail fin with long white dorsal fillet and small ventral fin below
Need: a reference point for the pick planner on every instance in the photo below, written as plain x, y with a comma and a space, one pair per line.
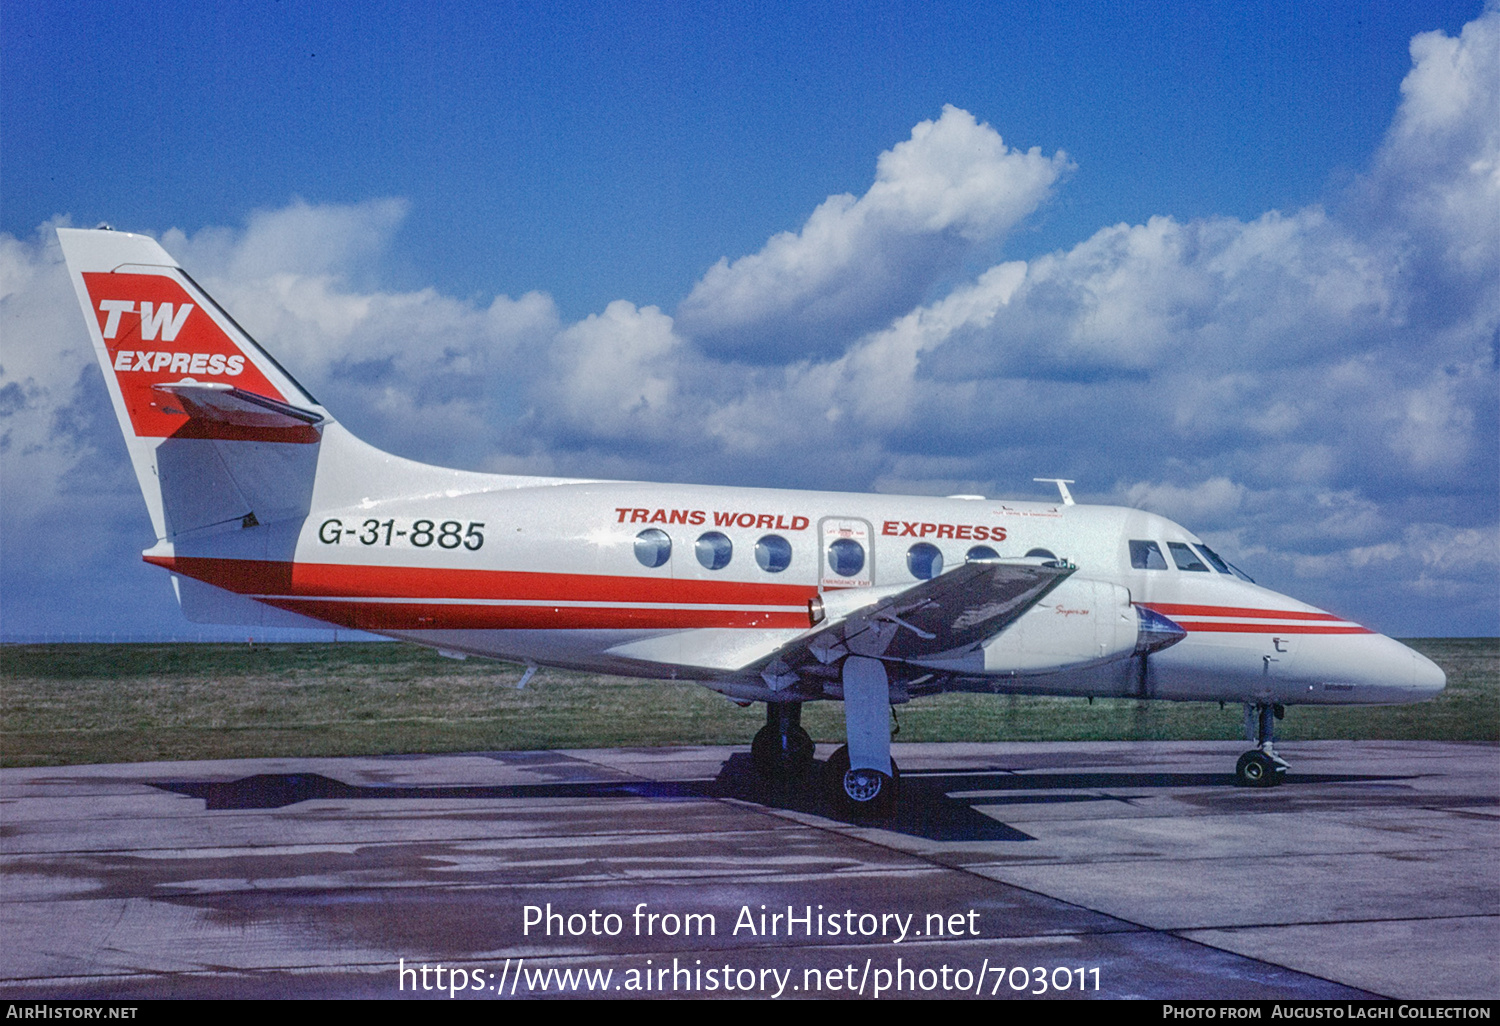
227, 448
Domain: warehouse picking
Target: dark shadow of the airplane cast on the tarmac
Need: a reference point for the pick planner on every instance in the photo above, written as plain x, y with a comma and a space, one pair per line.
928, 806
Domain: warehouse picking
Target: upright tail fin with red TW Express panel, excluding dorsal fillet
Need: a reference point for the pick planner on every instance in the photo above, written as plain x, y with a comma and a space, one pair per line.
211, 419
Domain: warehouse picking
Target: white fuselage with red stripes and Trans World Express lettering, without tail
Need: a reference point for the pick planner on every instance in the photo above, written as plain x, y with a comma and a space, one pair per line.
556, 572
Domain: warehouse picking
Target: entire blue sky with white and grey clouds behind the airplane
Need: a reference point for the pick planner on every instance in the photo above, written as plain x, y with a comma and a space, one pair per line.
1249, 277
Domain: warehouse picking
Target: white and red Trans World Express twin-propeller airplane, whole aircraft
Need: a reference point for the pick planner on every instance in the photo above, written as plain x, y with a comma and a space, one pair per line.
269, 512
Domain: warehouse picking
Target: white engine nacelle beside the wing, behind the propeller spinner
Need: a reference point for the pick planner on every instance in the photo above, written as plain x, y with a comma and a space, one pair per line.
1079, 623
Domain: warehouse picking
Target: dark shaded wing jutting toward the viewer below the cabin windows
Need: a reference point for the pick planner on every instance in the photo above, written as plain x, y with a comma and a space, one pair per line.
950, 613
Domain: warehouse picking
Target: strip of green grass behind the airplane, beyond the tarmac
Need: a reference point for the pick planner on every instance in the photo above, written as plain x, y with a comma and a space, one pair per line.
79, 704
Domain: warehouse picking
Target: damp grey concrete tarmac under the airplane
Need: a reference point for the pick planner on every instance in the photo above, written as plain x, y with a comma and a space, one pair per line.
1016, 871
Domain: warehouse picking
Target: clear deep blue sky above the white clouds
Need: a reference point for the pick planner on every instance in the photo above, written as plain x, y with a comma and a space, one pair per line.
617, 151
